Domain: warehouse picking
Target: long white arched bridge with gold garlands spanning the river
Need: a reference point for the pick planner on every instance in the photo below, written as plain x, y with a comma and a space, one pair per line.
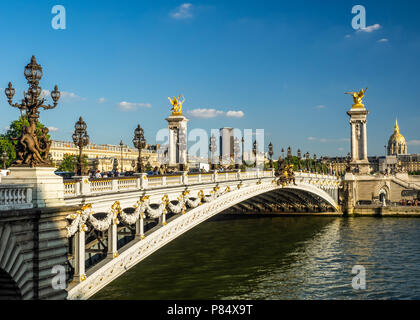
106, 226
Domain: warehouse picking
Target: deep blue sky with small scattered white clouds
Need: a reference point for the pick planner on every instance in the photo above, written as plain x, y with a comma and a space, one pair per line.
281, 66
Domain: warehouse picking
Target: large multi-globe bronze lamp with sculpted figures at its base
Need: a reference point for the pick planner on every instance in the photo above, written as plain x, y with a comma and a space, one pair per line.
33, 150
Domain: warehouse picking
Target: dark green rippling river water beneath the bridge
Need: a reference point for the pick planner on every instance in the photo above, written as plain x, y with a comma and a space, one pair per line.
280, 258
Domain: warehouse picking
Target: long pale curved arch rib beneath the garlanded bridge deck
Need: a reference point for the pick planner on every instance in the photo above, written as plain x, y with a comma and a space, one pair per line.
140, 248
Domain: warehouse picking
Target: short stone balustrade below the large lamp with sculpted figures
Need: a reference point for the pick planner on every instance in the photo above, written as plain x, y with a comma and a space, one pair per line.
15, 196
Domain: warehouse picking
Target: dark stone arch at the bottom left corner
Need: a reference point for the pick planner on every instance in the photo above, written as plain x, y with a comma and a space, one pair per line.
14, 282
